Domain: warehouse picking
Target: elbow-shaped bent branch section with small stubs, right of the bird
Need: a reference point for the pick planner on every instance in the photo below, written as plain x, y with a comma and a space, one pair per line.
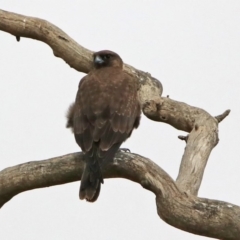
202, 138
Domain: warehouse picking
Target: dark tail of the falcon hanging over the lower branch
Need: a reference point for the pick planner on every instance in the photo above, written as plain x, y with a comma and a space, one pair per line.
91, 180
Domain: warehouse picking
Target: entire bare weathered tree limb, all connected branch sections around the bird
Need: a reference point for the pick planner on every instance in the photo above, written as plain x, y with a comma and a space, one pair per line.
177, 202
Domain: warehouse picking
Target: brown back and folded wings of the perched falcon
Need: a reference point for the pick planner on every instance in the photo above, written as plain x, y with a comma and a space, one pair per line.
107, 109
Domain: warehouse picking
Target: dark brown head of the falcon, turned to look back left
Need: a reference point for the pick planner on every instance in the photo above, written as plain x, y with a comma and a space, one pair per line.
107, 58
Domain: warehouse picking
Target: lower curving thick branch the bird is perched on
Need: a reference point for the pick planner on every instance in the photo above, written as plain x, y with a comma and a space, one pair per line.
196, 215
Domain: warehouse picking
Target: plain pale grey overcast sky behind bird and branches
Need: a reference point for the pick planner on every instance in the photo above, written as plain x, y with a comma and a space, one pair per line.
192, 47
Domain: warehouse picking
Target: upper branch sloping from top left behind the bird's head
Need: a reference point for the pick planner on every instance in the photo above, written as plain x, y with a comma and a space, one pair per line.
70, 51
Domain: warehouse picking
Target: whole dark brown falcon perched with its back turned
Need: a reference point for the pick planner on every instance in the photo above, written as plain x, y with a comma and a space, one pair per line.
104, 115
